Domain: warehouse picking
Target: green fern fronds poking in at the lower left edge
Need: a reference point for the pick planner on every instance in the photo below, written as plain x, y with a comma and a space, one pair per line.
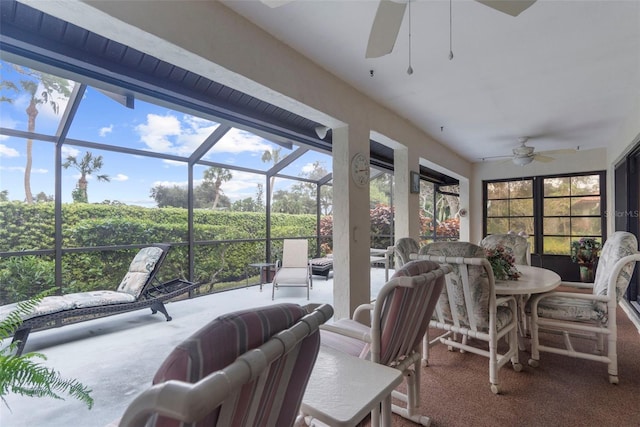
24, 375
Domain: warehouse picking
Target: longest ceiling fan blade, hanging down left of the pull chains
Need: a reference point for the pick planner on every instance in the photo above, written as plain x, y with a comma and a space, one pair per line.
385, 28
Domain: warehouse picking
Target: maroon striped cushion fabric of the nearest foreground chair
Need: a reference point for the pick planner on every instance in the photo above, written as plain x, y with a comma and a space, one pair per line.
274, 401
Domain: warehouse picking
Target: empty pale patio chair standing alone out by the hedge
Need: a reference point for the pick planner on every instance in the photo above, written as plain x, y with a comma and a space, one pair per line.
294, 270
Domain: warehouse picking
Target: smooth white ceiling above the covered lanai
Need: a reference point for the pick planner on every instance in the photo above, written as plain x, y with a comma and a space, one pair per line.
564, 73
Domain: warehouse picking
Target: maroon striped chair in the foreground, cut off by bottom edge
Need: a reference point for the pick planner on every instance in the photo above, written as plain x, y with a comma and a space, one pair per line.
248, 368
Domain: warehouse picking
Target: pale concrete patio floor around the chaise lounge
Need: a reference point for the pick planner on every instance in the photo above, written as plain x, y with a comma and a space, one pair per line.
117, 356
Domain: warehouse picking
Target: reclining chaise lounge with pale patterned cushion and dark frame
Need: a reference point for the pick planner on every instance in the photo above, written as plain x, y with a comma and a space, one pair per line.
136, 291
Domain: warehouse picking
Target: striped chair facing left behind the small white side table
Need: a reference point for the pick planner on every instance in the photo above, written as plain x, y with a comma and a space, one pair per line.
399, 318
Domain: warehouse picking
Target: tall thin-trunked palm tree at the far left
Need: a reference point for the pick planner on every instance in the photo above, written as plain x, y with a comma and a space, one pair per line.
52, 88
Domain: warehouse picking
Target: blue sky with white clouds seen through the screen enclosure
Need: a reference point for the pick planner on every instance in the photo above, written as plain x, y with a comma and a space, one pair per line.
147, 127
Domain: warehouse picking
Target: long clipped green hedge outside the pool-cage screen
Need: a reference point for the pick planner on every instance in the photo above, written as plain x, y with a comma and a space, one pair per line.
31, 227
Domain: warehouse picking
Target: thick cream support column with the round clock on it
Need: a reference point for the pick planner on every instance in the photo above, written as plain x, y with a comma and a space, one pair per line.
351, 224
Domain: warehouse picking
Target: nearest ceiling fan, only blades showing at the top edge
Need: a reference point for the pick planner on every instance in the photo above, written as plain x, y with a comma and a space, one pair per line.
390, 14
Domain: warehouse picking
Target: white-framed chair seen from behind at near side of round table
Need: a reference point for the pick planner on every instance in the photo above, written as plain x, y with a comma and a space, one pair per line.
468, 308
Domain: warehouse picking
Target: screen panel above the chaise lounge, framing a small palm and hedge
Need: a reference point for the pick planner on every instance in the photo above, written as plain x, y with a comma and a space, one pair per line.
118, 209
